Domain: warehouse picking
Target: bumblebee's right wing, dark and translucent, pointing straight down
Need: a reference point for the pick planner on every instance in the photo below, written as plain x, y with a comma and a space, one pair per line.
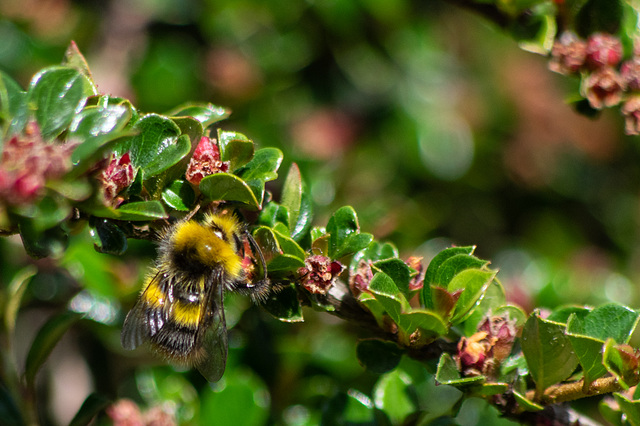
213, 336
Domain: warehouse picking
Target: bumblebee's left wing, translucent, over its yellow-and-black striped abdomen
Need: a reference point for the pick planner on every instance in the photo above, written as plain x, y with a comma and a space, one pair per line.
144, 321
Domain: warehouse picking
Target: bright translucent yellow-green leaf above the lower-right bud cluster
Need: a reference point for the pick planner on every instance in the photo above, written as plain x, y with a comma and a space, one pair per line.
474, 283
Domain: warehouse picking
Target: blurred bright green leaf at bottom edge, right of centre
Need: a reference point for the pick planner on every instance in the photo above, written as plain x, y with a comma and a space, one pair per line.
394, 394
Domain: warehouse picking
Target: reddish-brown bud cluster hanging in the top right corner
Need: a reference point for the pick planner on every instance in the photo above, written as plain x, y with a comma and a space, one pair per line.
606, 82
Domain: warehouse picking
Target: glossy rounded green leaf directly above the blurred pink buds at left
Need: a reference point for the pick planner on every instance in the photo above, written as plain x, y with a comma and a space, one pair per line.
57, 94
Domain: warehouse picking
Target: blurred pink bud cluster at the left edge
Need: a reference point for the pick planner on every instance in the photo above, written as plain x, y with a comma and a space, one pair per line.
27, 163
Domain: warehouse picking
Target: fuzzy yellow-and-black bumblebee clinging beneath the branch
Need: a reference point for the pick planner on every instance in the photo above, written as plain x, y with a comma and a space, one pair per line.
180, 310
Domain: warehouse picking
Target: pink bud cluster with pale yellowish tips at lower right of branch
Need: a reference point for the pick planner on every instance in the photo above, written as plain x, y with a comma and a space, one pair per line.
482, 353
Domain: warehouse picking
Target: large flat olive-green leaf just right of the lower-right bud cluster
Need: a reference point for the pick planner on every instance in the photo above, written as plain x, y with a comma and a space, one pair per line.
548, 352
